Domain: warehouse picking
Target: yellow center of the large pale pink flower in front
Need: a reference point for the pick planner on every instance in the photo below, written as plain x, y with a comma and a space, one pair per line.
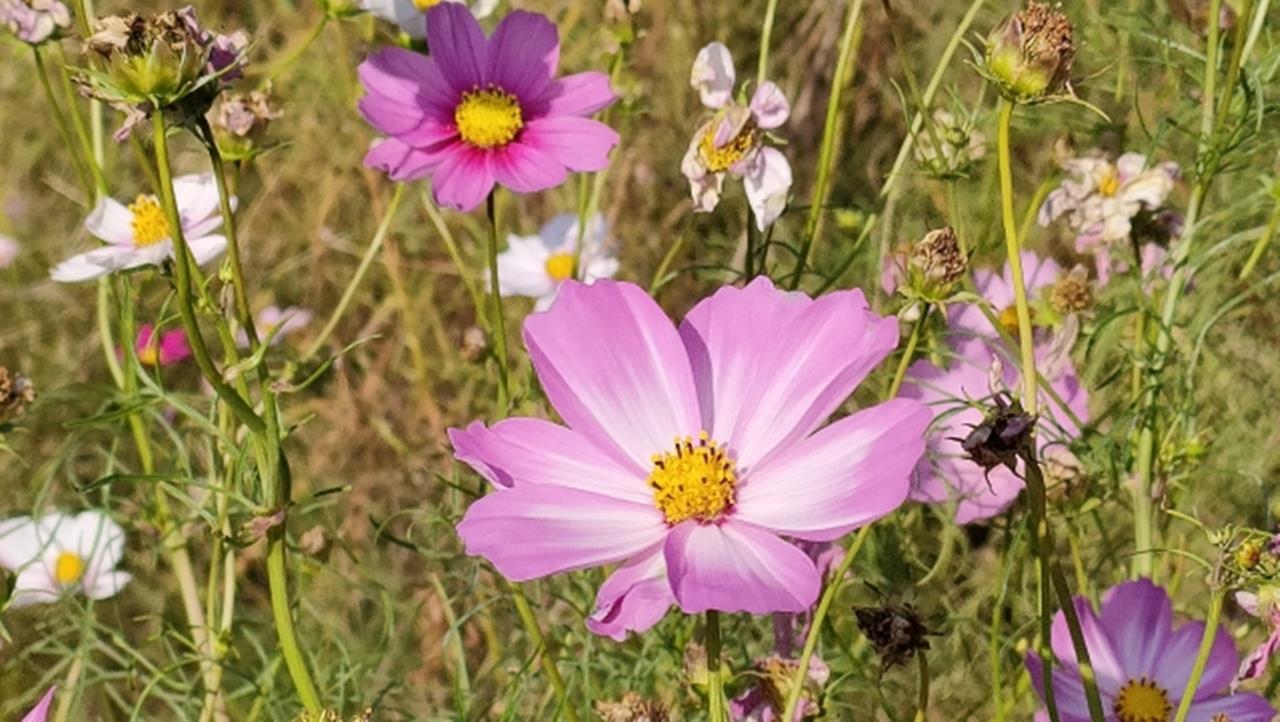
697, 481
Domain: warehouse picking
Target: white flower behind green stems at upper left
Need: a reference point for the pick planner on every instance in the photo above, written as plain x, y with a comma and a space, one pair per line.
139, 235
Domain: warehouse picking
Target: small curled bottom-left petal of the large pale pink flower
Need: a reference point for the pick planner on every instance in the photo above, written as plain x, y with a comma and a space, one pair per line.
634, 598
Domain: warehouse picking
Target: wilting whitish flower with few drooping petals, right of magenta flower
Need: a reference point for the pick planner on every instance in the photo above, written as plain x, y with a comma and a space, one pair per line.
733, 140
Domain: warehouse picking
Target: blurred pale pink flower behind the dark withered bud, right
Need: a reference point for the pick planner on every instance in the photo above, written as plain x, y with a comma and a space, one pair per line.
958, 396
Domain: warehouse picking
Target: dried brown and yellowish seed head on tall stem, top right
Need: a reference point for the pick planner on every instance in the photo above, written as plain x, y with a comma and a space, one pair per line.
1030, 56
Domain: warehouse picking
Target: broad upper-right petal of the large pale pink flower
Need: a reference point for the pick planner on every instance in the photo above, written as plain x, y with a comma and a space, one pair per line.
771, 365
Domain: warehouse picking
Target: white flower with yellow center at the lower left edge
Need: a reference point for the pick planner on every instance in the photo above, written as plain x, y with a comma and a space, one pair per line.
60, 554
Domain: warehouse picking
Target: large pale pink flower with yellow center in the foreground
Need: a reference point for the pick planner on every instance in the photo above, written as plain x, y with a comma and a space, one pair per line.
689, 454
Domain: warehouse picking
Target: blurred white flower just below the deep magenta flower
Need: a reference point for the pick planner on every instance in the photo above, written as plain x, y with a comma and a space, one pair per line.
537, 266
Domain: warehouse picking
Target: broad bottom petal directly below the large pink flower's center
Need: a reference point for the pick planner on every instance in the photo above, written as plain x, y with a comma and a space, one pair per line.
738, 568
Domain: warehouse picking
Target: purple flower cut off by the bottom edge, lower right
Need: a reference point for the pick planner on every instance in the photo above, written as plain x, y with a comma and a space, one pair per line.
1144, 664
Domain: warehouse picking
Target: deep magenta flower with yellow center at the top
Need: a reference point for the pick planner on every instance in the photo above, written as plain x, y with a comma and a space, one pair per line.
482, 112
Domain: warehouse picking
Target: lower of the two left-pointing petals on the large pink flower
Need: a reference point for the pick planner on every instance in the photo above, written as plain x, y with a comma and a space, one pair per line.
534, 531
